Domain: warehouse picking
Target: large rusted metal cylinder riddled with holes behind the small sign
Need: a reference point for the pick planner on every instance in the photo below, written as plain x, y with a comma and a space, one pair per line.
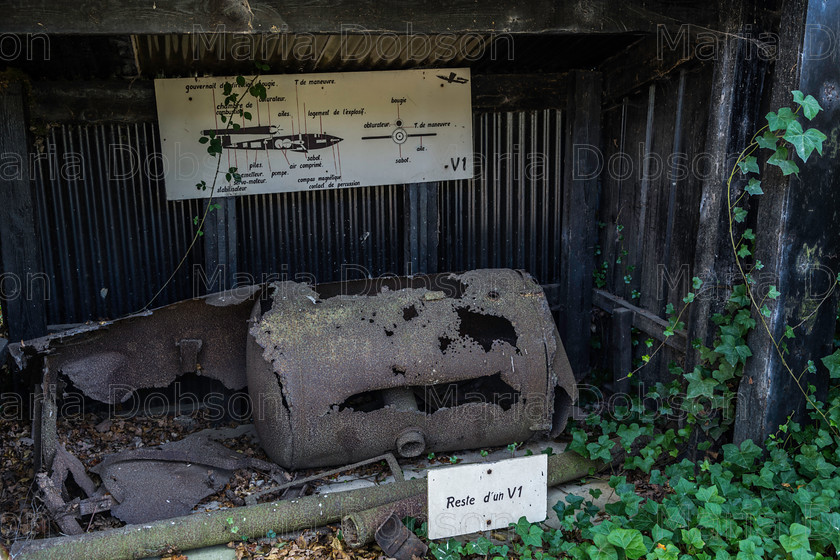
455, 362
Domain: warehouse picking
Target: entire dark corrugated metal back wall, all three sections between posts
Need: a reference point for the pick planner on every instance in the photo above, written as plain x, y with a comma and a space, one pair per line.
110, 239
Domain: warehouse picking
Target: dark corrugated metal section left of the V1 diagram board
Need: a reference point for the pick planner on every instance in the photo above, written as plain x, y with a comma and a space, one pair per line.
109, 237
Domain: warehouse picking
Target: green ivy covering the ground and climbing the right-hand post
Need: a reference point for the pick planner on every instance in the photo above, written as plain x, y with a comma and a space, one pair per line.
744, 502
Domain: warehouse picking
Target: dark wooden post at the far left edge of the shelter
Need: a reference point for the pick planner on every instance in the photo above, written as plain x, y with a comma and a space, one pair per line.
22, 282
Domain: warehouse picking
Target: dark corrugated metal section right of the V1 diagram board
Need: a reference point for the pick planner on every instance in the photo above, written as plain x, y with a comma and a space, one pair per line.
509, 214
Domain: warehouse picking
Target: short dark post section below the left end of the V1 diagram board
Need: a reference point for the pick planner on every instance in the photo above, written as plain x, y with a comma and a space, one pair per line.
220, 244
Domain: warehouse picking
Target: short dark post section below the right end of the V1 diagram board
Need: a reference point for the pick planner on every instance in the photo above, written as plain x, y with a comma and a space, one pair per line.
422, 229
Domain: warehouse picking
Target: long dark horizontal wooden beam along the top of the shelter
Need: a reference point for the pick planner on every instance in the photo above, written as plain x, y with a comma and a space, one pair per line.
343, 16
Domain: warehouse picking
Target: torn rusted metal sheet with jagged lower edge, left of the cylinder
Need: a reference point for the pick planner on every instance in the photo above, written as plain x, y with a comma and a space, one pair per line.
110, 360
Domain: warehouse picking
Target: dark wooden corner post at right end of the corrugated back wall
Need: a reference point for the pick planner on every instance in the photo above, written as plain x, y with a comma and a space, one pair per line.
581, 192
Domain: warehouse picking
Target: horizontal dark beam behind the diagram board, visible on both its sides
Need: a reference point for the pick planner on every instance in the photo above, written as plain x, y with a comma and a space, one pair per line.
121, 101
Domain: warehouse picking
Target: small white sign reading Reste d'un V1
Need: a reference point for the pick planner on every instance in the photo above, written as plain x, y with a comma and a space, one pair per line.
477, 497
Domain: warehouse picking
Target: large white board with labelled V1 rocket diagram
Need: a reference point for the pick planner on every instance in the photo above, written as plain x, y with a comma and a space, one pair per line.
318, 131
